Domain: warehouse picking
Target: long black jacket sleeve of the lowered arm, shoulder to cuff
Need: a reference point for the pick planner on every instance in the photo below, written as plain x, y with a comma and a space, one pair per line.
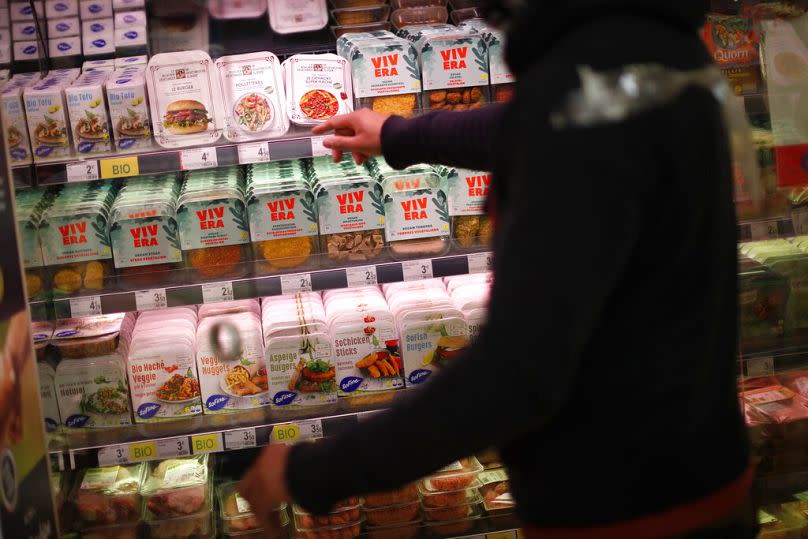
523, 367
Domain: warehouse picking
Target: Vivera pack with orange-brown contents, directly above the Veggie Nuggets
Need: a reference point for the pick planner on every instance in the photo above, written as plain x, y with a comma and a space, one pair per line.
212, 220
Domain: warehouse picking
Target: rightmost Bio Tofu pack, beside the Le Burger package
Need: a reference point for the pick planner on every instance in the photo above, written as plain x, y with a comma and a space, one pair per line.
129, 110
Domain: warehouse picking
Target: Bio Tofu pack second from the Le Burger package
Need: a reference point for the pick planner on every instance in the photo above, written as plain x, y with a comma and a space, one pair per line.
87, 111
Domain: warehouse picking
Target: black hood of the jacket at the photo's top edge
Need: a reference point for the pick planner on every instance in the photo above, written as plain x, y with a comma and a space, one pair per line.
534, 25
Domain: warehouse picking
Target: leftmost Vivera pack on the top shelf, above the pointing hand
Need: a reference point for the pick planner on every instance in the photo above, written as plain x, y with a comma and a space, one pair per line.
386, 76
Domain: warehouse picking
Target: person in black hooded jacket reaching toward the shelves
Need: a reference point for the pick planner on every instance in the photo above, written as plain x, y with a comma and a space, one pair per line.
606, 373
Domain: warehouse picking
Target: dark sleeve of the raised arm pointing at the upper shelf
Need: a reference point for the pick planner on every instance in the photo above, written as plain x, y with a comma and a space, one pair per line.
458, 139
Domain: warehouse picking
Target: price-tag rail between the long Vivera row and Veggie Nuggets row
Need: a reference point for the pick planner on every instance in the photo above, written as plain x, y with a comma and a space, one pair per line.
197, 293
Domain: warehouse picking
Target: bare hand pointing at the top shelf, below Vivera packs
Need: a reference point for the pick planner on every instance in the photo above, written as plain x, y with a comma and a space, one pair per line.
359, 132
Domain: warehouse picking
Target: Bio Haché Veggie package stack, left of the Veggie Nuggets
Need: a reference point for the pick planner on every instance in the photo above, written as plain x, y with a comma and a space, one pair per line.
162, 366
